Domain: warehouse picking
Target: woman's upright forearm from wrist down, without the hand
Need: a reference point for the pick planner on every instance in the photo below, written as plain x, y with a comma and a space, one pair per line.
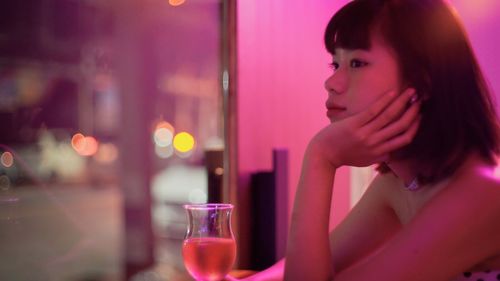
308, 254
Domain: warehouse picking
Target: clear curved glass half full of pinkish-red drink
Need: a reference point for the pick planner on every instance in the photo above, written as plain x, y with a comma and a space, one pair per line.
209, 248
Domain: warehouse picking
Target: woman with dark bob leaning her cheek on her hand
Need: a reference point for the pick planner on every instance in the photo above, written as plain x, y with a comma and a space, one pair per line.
406, 93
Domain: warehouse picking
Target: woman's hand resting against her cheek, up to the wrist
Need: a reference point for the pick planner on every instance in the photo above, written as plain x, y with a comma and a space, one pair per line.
369, 136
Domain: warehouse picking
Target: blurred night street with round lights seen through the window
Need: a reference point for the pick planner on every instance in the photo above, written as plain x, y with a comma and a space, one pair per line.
111, 113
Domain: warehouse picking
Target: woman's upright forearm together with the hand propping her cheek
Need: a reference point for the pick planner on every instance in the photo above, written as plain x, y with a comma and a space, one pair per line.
361, 140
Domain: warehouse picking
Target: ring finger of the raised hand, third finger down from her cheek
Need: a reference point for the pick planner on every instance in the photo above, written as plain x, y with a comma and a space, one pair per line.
397, 127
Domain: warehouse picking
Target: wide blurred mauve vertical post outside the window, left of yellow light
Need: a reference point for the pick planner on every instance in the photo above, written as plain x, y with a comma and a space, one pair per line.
134, 74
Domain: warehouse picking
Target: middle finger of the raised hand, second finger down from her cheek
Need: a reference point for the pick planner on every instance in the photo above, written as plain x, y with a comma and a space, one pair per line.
392, 112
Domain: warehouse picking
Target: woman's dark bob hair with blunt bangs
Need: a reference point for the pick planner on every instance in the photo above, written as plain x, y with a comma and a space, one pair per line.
436, 58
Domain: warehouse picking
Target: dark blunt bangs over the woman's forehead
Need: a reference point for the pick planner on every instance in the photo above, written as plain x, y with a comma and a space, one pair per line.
351, 27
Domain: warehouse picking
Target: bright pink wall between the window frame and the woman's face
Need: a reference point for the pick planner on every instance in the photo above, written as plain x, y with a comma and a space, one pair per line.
282, 65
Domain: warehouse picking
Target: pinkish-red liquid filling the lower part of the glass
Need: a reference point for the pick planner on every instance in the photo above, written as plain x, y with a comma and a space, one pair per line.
209, 258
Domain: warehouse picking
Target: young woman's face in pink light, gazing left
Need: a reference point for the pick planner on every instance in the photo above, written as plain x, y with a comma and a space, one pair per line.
360, 77
